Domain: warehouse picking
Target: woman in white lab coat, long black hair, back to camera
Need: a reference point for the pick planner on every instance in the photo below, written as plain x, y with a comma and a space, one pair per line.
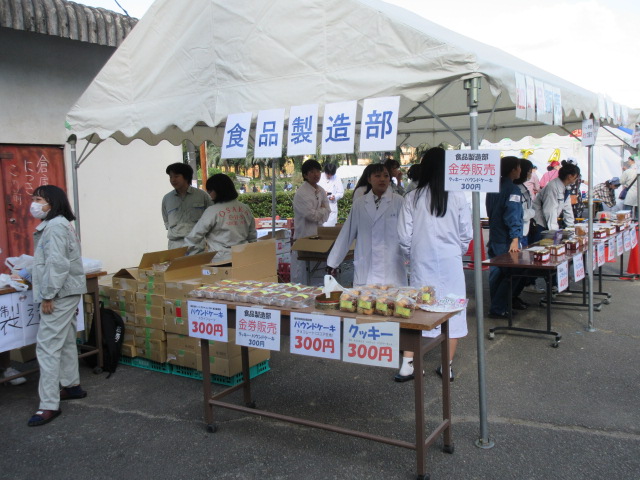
435, 231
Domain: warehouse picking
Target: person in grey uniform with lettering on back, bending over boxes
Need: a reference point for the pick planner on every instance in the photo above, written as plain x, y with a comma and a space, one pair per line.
226, 223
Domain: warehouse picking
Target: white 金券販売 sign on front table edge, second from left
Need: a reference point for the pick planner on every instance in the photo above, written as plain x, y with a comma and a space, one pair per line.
258, 327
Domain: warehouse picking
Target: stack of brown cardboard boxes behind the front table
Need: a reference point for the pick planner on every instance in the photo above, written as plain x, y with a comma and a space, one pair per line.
153, 304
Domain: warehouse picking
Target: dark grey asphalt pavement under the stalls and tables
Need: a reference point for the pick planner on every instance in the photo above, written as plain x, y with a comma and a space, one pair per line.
553, 413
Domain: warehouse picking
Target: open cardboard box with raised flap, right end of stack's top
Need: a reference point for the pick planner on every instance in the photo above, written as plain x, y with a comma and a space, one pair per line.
250, 261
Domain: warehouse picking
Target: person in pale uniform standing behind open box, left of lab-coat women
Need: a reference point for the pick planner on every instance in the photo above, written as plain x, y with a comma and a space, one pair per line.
310, 210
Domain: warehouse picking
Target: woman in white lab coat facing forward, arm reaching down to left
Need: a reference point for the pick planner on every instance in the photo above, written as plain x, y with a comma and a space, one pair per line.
373, 224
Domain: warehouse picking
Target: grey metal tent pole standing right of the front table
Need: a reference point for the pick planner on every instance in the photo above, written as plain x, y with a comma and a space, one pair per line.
472, 86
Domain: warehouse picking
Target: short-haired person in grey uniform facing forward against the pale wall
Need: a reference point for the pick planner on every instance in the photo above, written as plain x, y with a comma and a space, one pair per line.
182, 207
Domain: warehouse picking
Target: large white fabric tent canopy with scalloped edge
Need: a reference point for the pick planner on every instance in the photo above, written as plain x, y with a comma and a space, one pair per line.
184, 69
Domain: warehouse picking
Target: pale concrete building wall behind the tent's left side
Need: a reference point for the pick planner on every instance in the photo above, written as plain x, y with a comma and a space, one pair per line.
120, 187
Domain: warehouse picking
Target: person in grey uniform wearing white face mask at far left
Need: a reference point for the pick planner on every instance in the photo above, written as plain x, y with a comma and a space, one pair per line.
58, 280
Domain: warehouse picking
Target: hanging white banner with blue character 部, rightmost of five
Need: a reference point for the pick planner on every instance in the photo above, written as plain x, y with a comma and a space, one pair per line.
379, 124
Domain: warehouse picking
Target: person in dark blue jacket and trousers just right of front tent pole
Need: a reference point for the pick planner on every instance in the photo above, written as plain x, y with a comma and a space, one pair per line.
505, 230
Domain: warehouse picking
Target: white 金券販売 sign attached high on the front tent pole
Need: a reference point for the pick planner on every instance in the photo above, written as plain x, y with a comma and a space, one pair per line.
472, 171
